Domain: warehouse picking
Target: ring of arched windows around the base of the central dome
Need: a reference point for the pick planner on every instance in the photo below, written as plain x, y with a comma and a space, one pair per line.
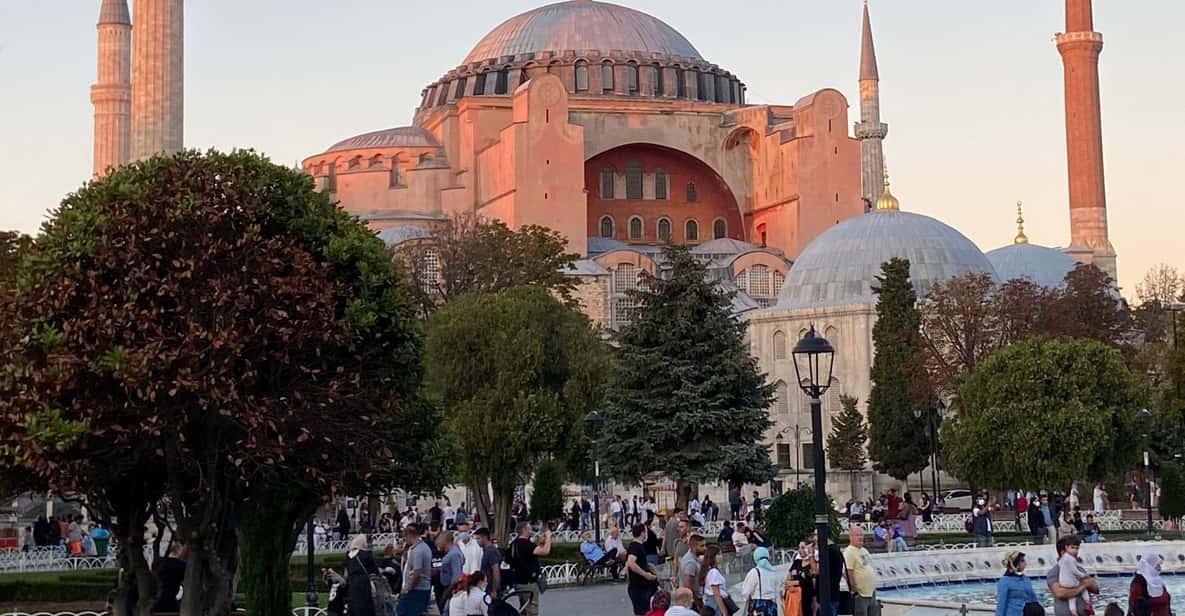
710, 87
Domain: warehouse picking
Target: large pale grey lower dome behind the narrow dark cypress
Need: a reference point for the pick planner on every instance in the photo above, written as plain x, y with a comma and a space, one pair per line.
841, 266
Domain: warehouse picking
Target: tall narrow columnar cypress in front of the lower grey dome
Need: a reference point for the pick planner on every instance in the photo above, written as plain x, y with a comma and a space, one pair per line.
895, 447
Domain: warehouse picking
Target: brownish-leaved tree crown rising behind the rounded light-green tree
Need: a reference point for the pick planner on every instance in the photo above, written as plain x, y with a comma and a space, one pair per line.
471, 254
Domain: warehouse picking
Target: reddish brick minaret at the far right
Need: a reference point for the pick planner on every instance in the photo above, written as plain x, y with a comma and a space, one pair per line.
1080, 47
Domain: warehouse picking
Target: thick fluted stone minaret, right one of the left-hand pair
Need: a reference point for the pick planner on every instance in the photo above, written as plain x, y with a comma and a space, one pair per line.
157, 78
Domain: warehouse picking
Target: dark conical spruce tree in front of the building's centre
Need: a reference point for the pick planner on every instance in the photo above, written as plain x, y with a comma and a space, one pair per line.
686, 397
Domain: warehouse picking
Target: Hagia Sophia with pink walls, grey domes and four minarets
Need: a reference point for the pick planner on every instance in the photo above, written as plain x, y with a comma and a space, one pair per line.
608, 126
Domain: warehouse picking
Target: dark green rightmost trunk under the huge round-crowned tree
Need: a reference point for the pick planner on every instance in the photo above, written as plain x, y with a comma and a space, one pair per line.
267, 537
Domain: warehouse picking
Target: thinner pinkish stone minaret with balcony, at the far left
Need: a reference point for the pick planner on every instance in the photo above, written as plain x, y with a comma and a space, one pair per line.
112, 93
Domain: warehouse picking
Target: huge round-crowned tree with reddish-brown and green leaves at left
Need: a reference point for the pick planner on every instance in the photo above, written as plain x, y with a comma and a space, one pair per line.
207, 339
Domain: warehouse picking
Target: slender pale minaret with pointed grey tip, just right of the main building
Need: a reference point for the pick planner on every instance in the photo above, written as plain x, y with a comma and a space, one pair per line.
870, 131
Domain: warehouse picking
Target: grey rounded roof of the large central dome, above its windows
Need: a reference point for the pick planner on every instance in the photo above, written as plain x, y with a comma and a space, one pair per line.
582, 25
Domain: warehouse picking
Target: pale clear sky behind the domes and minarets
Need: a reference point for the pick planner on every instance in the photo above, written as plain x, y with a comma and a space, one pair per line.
971, 89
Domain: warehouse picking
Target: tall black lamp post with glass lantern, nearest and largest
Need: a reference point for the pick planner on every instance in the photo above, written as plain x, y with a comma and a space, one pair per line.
814, 362
